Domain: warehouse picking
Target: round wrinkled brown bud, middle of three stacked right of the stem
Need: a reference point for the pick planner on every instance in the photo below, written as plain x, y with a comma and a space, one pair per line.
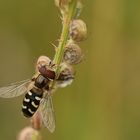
72, 54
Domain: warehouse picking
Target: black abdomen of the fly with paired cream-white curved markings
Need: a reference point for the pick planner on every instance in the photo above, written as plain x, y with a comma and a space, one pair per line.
31, 102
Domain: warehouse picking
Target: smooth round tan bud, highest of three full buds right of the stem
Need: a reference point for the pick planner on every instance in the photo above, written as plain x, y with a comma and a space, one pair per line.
78, 30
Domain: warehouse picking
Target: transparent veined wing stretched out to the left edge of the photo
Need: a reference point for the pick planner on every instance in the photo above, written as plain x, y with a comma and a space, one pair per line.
14, 89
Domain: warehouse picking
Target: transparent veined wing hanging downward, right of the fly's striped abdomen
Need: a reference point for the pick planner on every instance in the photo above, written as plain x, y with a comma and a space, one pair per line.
47, 113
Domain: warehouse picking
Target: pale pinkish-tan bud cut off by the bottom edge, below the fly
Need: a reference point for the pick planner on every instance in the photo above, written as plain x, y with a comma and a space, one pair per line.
28, 133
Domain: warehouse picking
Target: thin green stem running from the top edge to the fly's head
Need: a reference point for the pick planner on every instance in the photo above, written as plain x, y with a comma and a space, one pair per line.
64, 35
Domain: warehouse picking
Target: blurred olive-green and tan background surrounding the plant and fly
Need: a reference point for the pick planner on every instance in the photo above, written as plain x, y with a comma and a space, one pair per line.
103, 103
